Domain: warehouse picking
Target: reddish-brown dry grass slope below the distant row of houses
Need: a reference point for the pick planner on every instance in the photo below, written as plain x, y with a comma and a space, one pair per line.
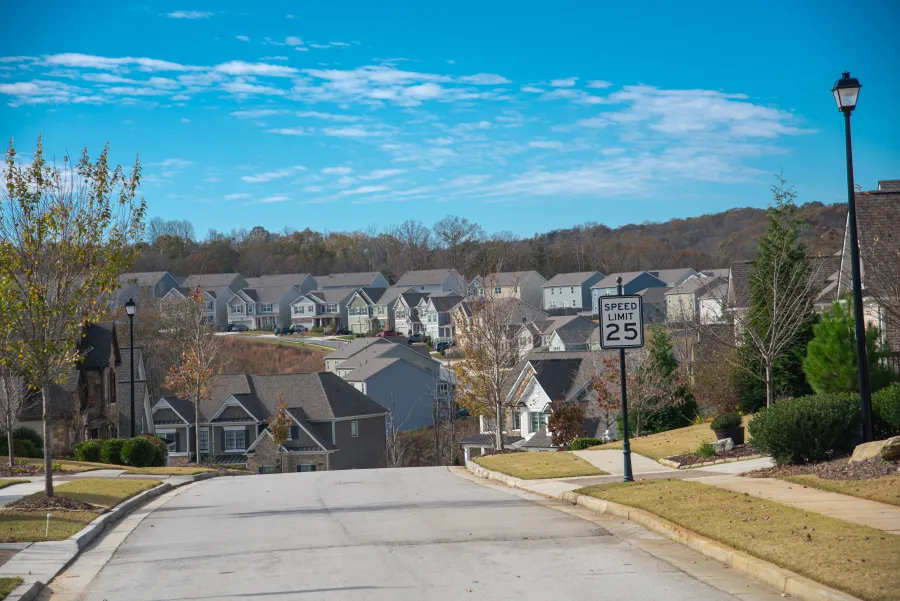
256, 357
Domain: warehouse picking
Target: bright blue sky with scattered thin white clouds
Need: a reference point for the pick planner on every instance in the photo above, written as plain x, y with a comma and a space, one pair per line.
522, 116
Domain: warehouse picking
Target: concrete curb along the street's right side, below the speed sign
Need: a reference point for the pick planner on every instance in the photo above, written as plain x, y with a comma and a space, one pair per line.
782, 580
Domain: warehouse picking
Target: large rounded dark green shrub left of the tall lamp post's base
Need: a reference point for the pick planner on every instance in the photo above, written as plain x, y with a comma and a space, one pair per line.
811, 428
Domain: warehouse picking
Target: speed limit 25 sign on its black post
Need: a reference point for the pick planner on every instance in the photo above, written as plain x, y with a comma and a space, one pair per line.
622, 327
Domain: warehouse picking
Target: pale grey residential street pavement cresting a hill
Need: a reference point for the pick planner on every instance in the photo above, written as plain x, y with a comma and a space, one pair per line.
382, 534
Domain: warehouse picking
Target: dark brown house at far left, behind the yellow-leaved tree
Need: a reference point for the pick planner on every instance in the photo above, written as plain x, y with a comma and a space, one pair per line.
87, 403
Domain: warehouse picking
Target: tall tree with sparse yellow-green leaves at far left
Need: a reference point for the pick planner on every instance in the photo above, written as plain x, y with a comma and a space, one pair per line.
67, 234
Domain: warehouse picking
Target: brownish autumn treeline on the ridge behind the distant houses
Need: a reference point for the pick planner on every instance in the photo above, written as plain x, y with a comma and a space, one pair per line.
704, 242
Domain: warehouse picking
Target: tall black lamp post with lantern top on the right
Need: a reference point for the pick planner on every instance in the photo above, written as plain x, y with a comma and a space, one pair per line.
846, 93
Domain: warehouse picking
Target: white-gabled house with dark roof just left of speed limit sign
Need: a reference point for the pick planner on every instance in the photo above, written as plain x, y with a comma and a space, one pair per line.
545, 377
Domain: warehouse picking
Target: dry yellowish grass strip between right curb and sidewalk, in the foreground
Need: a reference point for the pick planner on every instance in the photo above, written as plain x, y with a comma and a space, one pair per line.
856, 559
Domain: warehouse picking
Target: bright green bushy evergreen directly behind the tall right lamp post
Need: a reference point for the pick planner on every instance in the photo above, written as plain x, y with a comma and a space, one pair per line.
830, 363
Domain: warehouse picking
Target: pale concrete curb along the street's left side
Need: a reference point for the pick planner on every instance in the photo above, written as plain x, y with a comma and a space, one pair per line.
30, 589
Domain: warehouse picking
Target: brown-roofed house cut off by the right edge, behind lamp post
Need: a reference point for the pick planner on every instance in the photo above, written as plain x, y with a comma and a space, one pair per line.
878, 227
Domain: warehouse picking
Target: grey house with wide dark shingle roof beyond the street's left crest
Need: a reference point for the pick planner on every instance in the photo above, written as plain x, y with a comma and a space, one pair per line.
334, 426
